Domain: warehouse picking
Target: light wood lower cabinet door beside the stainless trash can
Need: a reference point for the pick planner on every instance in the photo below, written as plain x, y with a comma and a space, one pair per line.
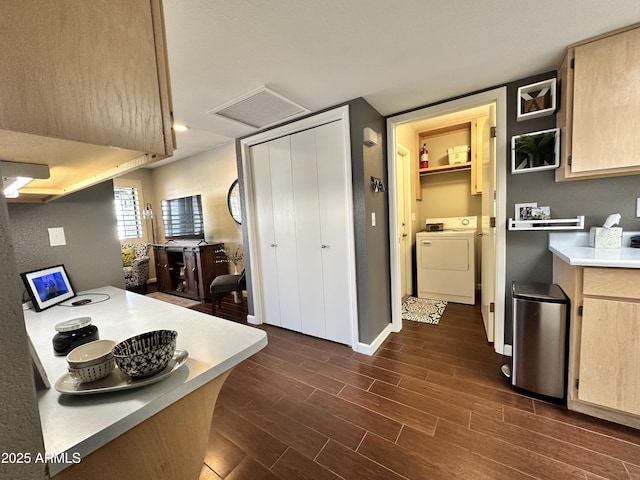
610, 354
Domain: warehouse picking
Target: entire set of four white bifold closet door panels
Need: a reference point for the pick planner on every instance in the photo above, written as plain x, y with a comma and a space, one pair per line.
302, 222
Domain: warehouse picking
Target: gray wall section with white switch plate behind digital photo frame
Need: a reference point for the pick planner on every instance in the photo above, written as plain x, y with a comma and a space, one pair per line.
92, 254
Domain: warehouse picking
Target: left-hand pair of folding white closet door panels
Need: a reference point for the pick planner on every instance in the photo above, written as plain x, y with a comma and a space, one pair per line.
274, 203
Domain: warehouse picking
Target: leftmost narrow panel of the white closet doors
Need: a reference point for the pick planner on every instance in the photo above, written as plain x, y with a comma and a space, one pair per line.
268, 265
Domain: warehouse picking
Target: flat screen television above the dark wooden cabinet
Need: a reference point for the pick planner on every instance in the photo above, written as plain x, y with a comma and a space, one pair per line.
182, 218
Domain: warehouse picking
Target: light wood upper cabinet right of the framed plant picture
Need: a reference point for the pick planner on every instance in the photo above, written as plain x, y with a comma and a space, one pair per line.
599, 105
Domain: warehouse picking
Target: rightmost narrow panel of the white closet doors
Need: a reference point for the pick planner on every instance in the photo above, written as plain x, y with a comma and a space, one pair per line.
335, 218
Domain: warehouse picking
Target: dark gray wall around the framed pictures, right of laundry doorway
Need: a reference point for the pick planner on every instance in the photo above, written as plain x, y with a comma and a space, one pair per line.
527, 255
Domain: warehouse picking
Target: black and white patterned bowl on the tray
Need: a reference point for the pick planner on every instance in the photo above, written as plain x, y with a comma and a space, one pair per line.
145, 354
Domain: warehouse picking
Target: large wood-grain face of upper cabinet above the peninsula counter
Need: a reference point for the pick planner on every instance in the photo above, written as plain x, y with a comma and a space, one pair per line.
87, 72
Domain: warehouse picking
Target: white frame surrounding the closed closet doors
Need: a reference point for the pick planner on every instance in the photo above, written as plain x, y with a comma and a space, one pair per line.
337, 114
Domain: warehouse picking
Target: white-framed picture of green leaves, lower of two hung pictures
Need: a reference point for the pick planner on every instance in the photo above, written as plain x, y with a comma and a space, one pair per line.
535, 151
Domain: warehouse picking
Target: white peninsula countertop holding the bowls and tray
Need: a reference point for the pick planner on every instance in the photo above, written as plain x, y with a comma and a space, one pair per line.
81, 424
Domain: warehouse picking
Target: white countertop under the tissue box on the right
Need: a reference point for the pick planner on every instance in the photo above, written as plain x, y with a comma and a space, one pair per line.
574, 249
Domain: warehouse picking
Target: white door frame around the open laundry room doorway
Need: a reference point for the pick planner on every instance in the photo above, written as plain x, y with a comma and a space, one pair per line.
499, 96
